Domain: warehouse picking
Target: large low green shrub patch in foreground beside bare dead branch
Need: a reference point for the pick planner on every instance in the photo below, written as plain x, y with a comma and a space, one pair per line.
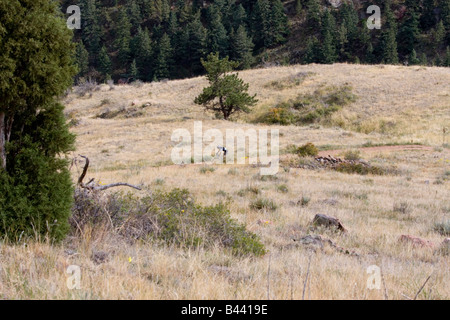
168, 217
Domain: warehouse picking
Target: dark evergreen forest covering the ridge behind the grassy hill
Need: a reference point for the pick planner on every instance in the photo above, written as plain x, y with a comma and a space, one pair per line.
150, 40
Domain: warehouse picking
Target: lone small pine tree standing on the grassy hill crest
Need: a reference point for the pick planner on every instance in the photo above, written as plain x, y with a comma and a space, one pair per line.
227, 94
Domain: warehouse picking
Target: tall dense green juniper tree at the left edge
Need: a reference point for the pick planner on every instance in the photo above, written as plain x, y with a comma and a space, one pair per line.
36, 66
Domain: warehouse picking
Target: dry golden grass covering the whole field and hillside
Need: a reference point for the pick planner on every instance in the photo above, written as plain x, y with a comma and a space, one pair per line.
395, 105
